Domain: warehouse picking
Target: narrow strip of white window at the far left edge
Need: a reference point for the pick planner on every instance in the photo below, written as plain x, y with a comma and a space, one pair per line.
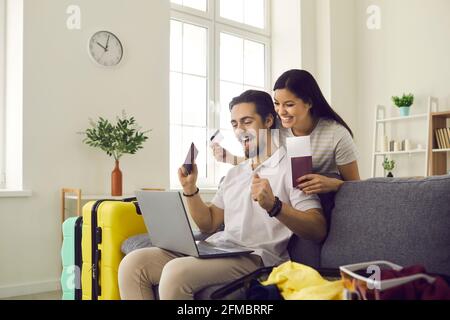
11, 83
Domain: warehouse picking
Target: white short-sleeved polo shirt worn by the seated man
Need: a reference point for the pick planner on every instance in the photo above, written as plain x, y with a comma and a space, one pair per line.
246, 223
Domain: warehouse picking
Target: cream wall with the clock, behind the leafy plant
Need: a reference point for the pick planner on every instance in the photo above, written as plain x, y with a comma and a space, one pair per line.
63, 88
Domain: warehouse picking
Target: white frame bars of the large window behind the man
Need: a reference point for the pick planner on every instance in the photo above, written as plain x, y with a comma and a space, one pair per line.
216, 25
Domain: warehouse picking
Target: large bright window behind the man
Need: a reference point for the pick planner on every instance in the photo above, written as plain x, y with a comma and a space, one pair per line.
219, 48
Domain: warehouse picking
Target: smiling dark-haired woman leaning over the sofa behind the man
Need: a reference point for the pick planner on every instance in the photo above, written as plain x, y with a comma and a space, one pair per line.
304, 111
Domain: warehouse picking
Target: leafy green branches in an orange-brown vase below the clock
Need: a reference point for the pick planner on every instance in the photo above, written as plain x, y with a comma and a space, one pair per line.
123, 137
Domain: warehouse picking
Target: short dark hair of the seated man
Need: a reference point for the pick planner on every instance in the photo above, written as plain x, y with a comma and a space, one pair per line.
262, 100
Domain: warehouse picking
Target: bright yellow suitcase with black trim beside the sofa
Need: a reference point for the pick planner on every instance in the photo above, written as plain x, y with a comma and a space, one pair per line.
106, 224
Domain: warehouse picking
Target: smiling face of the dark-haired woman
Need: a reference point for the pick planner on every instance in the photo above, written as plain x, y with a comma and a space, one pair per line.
292, 110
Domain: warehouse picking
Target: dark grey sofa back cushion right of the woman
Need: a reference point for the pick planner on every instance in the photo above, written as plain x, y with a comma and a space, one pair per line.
406, 221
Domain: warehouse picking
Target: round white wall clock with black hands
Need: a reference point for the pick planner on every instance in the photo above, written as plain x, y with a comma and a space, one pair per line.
105, 48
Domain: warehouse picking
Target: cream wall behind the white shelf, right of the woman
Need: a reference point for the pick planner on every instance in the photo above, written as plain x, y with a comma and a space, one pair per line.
409, 54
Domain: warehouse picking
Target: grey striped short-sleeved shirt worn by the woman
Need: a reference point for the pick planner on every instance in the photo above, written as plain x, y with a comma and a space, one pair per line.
332, 146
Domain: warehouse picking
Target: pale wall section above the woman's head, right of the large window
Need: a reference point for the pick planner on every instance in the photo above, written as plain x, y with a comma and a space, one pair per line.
319, 36
